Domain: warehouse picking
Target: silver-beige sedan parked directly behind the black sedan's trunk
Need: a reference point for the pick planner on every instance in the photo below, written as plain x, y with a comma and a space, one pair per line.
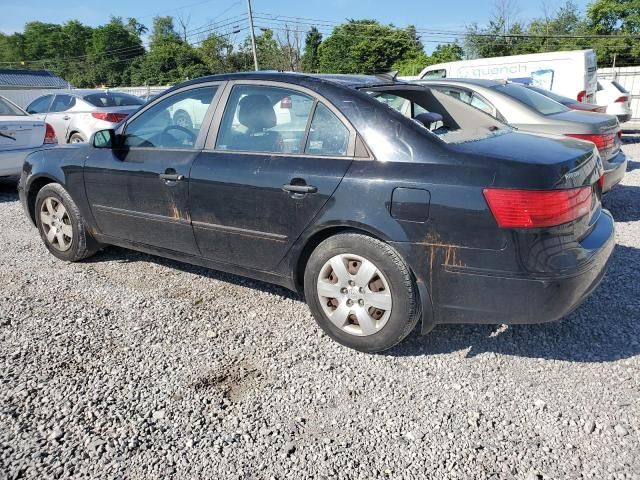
528, 110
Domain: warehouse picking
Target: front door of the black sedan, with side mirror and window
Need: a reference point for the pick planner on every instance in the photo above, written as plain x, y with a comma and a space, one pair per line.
139, 191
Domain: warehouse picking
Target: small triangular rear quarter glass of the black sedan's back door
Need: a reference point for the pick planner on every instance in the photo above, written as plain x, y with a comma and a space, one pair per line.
327, 134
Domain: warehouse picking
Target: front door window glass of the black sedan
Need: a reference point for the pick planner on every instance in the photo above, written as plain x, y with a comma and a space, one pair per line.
174, 122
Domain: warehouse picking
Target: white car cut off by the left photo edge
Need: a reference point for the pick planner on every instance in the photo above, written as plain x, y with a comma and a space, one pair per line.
20, 135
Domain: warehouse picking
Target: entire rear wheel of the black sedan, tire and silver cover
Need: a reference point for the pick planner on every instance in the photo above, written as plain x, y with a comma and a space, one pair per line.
356, 316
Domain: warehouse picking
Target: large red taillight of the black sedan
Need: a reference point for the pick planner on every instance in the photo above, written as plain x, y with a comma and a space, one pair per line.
537, 208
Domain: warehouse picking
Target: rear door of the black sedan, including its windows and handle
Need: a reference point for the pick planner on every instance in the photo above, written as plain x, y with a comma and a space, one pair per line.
277, 157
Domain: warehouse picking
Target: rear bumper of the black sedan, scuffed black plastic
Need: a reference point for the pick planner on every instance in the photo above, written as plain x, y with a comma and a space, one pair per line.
460, 294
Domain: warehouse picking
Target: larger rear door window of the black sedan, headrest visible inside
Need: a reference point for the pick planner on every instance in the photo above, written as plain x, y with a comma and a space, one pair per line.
264, 119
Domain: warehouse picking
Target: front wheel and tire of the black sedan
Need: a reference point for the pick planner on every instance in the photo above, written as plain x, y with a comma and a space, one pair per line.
61, 226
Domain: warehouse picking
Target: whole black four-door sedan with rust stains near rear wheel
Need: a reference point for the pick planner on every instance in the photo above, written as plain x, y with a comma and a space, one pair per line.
381, 219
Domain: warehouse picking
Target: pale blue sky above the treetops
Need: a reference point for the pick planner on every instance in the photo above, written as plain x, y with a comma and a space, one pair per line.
424, 14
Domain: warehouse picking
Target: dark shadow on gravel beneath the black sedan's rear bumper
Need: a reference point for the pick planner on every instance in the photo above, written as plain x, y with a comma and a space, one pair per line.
605, 328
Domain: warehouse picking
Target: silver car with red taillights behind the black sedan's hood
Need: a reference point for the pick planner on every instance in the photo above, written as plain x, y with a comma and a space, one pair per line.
75, 115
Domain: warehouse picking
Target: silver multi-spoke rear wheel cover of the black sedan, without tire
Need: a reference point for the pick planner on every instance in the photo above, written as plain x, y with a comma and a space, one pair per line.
354, 294
